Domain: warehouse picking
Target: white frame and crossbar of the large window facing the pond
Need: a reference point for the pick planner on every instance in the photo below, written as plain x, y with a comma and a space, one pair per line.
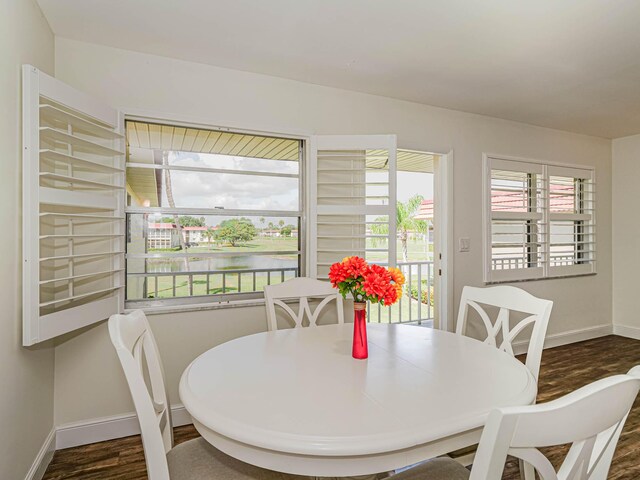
228, 300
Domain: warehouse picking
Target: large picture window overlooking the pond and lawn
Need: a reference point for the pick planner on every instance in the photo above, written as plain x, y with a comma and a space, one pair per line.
212, 216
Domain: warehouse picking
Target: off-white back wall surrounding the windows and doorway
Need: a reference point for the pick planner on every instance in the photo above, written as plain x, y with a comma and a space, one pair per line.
193, 92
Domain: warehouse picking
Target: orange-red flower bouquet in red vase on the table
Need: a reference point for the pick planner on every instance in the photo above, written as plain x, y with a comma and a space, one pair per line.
365, 282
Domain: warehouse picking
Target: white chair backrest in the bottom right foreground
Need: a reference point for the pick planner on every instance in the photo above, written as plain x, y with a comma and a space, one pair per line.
590, 418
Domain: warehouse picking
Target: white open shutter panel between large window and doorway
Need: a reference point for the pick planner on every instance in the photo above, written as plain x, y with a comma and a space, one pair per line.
352, 192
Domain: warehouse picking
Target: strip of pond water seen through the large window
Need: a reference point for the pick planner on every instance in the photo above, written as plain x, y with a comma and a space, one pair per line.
234, 262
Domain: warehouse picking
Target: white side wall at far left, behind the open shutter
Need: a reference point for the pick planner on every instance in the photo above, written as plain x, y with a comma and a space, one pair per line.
26, 375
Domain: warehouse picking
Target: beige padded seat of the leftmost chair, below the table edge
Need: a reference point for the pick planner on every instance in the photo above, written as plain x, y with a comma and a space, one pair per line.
199, 460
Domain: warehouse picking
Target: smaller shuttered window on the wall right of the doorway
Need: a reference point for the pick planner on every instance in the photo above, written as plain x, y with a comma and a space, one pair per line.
539, 220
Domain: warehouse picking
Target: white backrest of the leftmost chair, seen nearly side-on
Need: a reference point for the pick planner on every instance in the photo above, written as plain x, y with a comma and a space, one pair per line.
140, 360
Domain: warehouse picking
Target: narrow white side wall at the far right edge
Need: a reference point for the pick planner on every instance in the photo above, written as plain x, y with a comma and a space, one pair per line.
626, 235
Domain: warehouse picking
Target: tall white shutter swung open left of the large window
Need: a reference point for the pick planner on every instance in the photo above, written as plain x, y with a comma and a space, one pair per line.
73, 209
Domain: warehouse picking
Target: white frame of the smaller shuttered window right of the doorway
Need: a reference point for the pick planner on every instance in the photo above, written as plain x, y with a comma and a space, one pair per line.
547, 170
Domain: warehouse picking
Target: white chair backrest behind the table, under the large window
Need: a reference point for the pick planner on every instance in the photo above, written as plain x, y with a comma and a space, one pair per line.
301, 289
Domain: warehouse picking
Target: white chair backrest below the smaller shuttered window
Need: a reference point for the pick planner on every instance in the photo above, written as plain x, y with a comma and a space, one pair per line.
508, 299
